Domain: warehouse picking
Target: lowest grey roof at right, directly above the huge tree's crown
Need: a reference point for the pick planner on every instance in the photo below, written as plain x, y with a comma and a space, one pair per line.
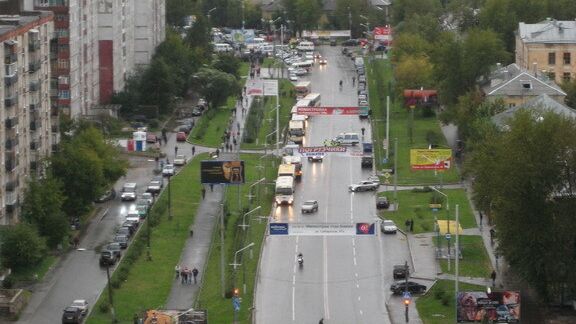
542, 103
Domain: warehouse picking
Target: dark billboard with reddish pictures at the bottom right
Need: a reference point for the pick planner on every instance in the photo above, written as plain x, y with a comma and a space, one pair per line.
479, 306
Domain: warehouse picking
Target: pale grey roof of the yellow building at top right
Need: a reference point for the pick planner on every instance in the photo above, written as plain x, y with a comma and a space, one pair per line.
548, 31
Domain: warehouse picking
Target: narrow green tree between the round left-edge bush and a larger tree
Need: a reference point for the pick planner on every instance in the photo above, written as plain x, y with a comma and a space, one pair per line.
42, 208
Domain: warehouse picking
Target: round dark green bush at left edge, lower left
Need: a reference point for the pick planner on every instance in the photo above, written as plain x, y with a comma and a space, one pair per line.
21, 247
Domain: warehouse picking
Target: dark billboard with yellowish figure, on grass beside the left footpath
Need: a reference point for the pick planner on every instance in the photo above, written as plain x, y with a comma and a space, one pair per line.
222, 172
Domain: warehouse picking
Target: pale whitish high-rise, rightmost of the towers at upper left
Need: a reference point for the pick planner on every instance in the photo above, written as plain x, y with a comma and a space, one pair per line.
149, 30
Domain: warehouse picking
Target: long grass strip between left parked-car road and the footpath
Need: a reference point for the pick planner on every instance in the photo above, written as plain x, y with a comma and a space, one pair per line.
148, 283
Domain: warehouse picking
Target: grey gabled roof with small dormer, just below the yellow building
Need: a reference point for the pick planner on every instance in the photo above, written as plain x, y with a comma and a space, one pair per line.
512, 80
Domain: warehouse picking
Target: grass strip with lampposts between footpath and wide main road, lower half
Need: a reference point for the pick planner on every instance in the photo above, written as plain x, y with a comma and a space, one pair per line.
210, 297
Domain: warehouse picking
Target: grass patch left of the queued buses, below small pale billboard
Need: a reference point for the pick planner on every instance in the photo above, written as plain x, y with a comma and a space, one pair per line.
268, 124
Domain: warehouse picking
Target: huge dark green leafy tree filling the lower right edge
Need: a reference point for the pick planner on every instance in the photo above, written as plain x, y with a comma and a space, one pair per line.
525, 176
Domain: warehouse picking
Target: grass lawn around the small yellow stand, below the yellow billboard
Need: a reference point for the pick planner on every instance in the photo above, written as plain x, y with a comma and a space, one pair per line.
415, 205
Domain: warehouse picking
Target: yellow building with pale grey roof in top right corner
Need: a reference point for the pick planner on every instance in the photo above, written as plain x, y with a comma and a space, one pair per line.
549, 47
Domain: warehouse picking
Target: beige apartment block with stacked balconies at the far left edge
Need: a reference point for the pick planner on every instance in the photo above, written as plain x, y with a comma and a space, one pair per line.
26, 135
